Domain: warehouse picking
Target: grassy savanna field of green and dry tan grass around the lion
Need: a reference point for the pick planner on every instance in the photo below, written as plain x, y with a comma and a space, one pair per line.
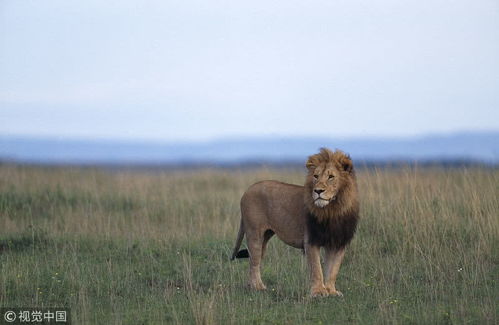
152, 247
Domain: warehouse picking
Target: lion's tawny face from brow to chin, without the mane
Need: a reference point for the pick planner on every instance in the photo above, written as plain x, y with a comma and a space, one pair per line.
325, 185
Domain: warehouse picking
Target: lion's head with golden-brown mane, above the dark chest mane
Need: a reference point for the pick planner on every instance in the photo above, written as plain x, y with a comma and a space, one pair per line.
330, 184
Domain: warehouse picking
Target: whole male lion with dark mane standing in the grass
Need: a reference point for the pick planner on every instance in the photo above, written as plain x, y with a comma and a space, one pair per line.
323, 213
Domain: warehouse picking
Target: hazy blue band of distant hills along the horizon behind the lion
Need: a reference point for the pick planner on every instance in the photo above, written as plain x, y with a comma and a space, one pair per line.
475, 147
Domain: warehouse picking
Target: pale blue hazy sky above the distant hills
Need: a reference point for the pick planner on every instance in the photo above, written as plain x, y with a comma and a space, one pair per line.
200, 70
